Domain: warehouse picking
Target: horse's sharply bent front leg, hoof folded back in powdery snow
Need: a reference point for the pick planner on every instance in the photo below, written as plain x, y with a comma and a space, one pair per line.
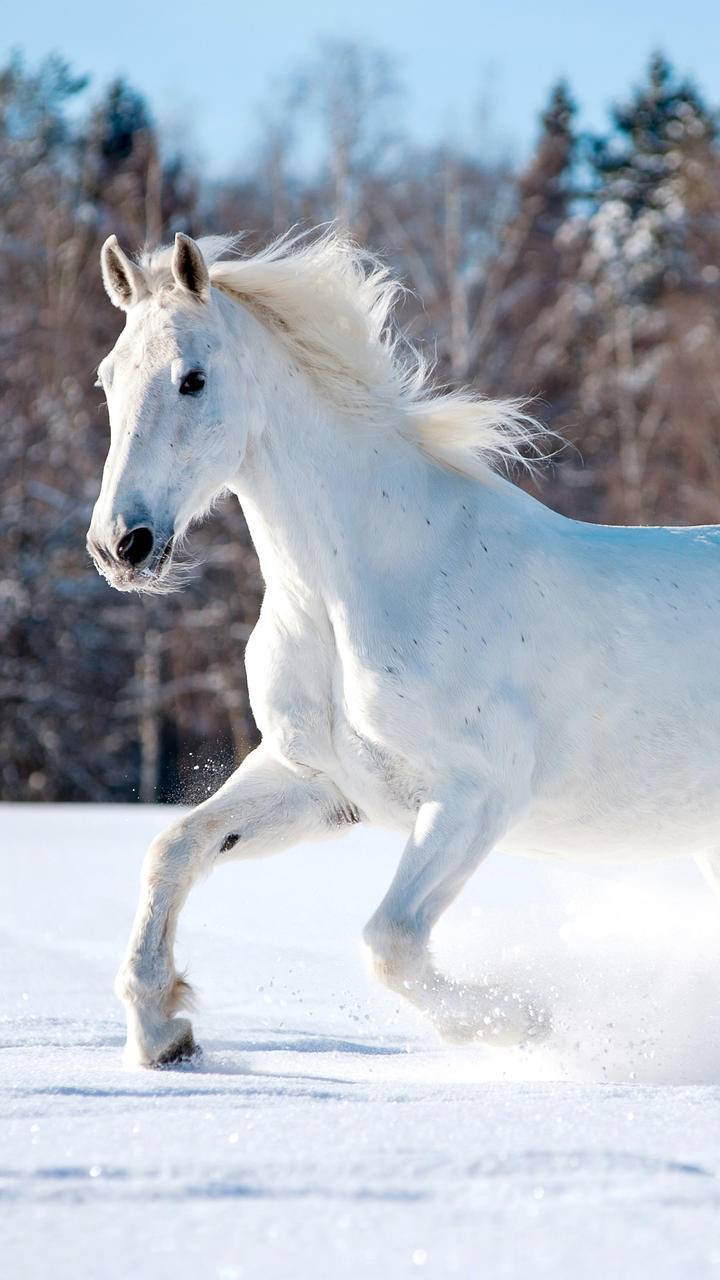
449, 842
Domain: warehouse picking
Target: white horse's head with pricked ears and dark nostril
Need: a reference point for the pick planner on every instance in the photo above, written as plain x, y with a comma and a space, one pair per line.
171, 390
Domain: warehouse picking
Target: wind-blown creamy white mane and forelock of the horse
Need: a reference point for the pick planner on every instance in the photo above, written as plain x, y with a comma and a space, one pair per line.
331, 304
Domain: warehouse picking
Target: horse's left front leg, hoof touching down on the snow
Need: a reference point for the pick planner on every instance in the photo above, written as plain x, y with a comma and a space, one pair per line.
262, 810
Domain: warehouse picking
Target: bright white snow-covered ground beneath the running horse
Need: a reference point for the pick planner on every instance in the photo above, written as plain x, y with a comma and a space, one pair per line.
326, 1132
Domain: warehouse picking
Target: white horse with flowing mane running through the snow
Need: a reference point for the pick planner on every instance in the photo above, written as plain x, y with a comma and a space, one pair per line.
438, 652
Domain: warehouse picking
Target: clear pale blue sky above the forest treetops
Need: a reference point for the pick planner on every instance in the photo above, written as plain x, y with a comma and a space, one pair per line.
209, 68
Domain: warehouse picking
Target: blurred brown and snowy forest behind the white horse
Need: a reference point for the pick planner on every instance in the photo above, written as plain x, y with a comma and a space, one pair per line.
591, 280
